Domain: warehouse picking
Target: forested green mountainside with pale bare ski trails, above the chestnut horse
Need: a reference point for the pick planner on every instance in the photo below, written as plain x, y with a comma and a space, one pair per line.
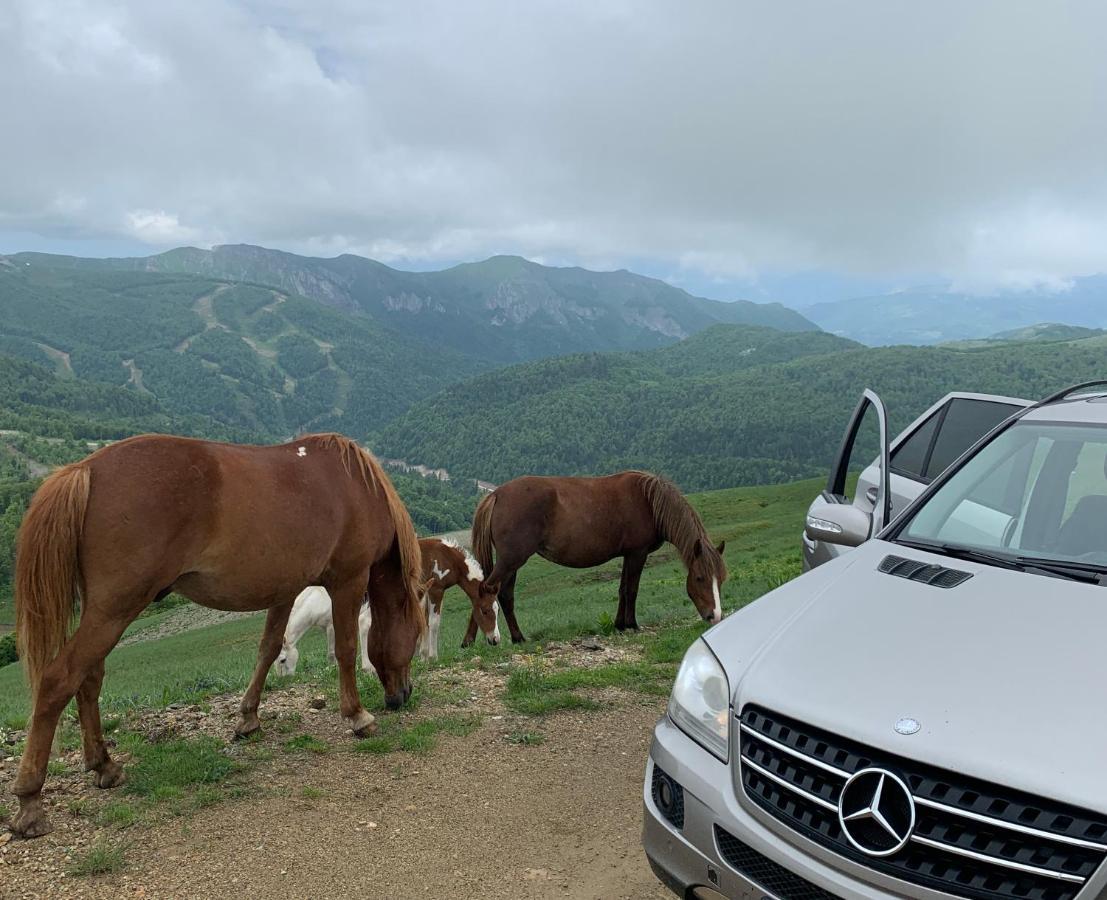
249, 358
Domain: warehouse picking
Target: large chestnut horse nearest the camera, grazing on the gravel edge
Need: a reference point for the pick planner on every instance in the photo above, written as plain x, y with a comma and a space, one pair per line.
231, 527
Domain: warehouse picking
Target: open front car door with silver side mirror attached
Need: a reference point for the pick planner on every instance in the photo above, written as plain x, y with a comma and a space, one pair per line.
835, 522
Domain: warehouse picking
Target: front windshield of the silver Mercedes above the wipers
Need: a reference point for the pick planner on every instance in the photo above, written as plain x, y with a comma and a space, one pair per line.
1037, 493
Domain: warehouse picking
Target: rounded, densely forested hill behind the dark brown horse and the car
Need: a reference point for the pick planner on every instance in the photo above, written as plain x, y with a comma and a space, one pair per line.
709, 429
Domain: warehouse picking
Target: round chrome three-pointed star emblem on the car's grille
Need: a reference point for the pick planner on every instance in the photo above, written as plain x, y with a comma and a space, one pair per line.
876, 812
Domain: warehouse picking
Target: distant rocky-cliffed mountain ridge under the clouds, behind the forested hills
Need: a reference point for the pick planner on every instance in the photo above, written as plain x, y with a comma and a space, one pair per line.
504, 309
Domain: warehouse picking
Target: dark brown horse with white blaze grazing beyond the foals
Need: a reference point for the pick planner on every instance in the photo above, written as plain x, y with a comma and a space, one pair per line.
587, 522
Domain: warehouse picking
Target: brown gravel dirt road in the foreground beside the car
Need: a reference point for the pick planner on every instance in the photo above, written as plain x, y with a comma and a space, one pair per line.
478, 818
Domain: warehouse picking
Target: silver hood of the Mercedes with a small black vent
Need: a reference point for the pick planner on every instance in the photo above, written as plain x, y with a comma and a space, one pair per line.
1005, 673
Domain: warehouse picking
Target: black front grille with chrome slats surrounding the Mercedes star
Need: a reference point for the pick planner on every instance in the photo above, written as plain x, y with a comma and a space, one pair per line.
971, 839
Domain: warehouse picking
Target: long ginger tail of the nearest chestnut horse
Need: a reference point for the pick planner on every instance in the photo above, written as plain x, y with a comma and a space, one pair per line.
48, 577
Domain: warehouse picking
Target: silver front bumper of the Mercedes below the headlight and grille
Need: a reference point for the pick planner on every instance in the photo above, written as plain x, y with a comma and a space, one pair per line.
691, 857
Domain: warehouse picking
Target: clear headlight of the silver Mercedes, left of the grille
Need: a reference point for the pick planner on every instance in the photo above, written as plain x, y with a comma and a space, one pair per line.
701, 702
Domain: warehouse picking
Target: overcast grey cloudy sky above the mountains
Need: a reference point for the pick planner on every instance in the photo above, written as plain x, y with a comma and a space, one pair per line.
729, 144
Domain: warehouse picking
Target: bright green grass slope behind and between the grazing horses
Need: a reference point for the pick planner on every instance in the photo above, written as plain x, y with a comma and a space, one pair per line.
761, 527
